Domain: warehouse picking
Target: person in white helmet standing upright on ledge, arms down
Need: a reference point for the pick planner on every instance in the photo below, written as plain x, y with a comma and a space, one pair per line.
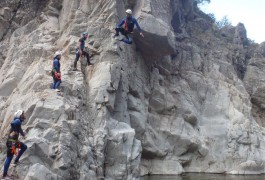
56, 72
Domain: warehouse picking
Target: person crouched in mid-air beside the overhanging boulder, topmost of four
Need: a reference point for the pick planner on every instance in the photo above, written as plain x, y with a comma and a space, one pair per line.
129, 21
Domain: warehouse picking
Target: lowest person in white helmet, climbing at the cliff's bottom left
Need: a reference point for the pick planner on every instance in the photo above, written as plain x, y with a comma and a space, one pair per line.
13, 143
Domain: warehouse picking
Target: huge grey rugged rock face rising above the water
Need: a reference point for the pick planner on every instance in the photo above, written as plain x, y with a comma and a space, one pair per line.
186, 98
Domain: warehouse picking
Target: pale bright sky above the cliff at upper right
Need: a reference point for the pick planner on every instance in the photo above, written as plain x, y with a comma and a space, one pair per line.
249, 12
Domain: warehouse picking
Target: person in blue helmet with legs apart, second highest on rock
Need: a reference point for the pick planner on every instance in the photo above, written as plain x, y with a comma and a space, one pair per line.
80, 50
